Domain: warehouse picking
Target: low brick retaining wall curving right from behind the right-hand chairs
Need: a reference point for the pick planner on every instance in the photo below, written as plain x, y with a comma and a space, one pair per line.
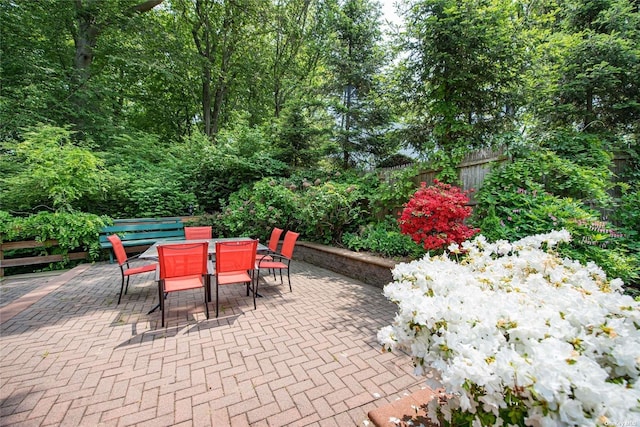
367, 268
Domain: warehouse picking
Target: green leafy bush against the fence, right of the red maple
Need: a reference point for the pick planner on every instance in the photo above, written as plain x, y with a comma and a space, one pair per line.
518, 200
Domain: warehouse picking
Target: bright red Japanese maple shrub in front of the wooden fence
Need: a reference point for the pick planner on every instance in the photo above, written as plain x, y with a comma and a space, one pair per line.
434, 217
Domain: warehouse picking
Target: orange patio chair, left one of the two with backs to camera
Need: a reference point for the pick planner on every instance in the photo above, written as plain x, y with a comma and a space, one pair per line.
183, 266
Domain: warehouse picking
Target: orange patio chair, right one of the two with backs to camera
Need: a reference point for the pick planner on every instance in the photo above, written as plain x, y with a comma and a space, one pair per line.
235, 263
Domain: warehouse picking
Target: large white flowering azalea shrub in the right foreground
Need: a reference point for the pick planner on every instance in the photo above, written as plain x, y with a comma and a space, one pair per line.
519, 336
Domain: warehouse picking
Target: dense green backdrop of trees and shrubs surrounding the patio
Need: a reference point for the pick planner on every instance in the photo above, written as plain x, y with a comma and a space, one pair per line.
250, 114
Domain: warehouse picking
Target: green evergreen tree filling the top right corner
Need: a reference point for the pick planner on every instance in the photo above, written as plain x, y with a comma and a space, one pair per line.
591, 80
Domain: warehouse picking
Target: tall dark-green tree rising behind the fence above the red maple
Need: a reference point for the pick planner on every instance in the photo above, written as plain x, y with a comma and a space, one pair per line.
462, 72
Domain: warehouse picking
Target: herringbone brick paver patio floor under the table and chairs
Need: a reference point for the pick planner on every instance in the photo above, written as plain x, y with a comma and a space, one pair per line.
70, 356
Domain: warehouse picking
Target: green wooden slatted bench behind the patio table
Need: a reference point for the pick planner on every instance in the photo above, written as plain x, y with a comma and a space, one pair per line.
137, 234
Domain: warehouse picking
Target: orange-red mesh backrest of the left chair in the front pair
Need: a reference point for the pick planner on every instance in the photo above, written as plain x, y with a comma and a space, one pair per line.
183, 259
